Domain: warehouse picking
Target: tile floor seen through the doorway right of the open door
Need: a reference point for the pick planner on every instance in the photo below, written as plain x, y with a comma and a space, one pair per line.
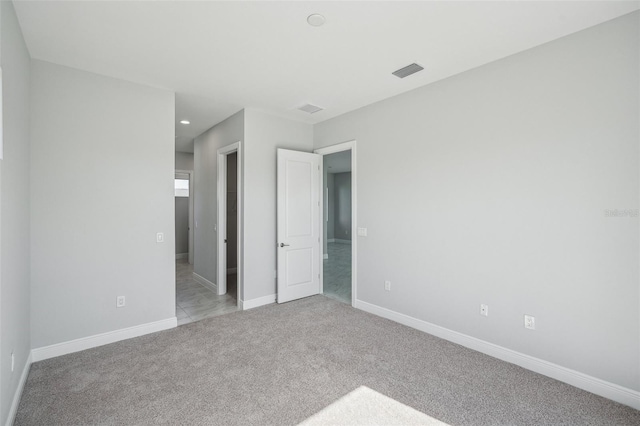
337, 272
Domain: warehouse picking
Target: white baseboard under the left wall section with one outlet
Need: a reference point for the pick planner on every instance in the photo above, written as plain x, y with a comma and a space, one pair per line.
52, 351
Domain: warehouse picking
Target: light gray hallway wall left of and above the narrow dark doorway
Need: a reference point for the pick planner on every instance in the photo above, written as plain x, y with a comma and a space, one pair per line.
206, 148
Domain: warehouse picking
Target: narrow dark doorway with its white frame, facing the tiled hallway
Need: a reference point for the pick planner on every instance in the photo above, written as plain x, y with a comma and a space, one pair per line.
229, 224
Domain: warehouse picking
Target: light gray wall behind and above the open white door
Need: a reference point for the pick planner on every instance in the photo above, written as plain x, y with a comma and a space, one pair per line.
265, 133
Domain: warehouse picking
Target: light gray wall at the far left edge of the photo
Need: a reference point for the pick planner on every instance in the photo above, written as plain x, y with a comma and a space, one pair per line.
14, 208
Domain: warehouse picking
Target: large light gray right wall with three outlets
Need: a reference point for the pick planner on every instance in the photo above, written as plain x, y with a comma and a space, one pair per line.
491, 187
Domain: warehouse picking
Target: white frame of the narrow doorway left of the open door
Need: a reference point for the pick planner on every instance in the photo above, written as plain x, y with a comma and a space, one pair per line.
221, 224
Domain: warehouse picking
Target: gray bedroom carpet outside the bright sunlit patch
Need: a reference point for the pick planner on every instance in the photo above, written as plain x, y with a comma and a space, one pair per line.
281, 364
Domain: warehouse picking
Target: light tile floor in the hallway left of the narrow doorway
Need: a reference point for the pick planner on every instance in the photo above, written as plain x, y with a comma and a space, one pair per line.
195, 301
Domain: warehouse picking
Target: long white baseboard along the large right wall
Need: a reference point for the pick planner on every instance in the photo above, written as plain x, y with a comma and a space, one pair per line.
575, 378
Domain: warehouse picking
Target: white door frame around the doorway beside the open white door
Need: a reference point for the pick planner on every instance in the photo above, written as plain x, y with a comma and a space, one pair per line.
332, 149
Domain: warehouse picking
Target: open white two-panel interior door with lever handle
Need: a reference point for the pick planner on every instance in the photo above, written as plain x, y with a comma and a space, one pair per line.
298, 225
